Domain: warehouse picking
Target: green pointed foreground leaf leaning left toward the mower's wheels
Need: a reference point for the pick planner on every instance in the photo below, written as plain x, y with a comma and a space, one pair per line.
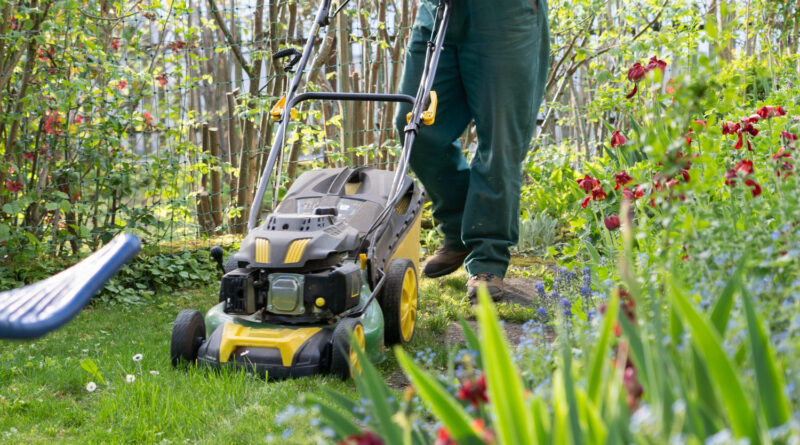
440, 402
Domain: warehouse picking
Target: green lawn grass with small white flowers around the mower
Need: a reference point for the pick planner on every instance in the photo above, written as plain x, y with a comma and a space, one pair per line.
43, 396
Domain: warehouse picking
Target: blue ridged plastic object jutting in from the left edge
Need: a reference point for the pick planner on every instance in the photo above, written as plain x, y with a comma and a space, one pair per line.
39, 308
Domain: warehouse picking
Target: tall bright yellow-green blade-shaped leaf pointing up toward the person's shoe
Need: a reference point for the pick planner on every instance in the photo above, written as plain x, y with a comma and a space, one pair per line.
512, 414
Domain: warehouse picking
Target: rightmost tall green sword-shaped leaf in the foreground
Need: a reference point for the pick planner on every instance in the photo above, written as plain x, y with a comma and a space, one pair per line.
769, 376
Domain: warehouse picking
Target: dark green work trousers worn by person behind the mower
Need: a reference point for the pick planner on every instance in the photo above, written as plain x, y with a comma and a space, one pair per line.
492, 70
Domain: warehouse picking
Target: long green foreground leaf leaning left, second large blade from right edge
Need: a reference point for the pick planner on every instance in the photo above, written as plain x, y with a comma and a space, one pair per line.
724, 375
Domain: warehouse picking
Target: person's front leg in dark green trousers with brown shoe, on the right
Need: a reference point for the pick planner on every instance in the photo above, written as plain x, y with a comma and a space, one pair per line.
504, 65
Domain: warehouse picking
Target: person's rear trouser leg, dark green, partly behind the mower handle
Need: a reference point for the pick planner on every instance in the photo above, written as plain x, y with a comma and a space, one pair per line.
437, 157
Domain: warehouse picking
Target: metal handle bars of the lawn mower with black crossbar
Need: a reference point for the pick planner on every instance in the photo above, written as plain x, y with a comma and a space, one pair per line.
426, 83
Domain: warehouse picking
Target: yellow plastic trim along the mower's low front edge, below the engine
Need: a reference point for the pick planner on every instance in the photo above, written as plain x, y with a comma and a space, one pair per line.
287, 341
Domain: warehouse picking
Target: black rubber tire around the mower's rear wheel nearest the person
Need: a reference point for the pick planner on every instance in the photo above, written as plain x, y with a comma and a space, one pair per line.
390, 300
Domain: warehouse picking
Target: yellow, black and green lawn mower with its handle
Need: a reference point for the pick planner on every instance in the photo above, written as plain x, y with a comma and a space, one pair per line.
334, 266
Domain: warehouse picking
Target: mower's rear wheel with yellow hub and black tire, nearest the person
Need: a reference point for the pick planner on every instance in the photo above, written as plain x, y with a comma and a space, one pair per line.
398, 300
